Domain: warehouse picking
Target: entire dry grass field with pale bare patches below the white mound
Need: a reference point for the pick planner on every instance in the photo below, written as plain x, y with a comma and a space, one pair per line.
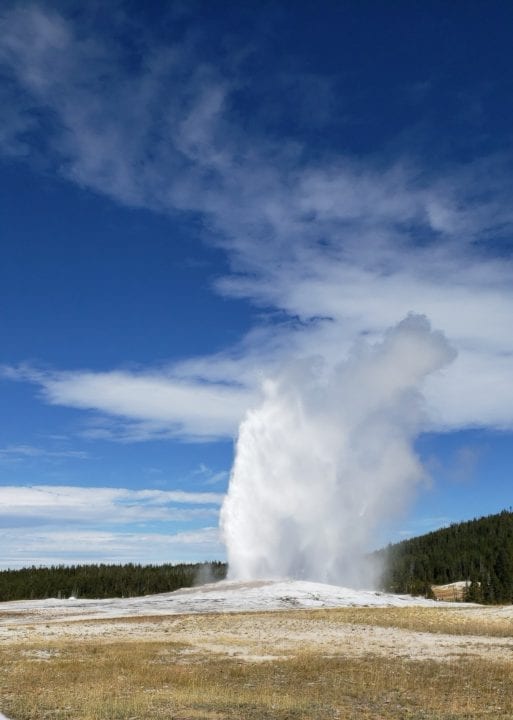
412, 663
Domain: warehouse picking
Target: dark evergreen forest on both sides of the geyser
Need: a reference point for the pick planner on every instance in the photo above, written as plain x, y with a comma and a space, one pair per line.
478, 551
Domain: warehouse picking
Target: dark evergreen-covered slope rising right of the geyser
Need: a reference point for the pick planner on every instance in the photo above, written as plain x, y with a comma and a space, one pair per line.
480, 551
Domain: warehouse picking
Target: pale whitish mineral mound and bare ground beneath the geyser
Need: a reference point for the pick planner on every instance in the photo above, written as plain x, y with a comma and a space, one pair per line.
243, 626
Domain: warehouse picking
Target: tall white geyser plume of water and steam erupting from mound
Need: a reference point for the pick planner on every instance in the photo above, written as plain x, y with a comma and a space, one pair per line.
327, 457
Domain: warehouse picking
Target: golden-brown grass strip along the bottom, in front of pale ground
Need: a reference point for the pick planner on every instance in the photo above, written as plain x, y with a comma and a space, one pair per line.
121, 681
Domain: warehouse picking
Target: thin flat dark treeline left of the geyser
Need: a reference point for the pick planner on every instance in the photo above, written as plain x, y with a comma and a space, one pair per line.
103, 581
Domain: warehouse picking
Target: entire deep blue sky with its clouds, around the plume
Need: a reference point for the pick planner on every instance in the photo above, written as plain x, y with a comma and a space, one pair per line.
195, 193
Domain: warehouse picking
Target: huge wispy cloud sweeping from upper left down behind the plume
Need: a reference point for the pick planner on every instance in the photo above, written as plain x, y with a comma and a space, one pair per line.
343, 247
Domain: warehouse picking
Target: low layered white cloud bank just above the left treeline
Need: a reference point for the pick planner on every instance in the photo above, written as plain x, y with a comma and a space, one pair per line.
105, 524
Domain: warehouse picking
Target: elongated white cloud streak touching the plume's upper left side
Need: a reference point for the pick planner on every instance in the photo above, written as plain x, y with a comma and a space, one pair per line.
149, 404
